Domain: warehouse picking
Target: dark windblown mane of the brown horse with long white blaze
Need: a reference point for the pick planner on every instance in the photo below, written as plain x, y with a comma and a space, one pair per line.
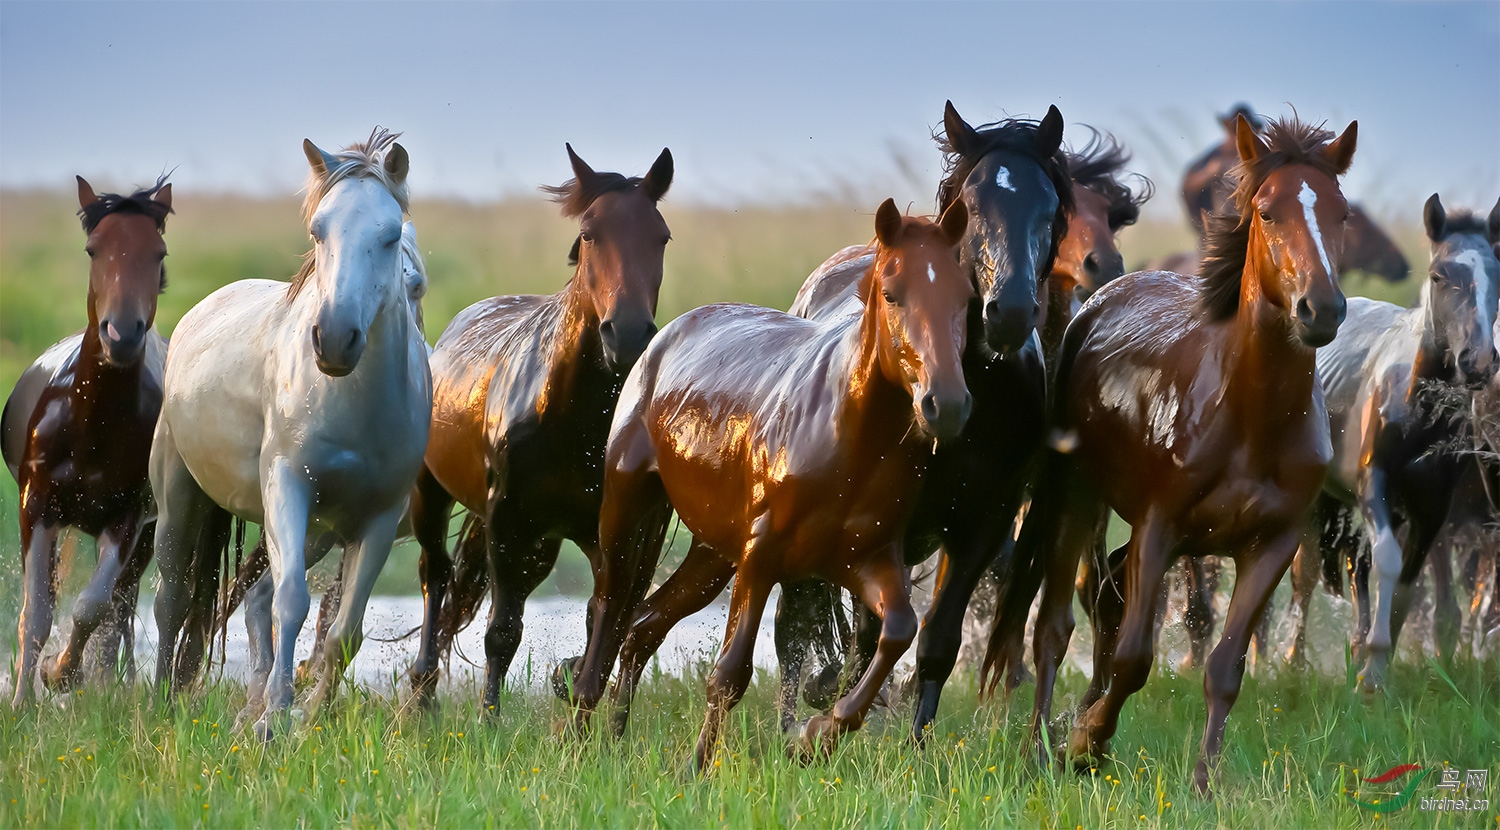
1226, 241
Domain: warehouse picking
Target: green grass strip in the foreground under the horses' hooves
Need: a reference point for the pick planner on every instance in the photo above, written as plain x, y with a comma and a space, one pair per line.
1295, 745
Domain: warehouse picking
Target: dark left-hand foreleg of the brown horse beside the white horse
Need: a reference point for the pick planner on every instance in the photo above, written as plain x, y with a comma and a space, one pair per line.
430, 523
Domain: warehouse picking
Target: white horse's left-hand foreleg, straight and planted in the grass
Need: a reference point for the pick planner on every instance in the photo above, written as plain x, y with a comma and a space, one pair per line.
287, 498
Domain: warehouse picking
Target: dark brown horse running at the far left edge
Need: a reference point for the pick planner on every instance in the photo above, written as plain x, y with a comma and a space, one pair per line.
77, 433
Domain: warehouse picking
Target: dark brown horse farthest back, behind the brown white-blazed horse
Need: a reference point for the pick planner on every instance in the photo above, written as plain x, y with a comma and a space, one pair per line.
1207, 190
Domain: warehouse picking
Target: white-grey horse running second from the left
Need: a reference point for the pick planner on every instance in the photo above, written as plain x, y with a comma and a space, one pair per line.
298, 407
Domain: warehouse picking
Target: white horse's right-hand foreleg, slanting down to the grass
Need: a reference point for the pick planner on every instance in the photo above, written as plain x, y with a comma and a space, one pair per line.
362, 565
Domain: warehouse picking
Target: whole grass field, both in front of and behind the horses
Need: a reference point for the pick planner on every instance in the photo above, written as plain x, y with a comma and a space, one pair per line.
119, 757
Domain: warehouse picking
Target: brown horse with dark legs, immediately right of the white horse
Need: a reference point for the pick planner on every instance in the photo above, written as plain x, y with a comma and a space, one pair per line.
523, 395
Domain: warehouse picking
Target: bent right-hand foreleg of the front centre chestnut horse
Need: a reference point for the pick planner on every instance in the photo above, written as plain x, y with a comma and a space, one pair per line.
886, 589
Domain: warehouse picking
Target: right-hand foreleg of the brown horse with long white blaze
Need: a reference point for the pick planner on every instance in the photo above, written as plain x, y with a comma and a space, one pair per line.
1256, 577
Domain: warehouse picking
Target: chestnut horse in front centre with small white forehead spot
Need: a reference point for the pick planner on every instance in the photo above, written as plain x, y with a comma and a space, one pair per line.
793, 450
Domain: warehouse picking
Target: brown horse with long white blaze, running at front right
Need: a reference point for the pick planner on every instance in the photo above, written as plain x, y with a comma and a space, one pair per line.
1193, 409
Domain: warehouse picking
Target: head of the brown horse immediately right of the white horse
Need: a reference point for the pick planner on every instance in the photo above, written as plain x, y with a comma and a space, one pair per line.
620, 247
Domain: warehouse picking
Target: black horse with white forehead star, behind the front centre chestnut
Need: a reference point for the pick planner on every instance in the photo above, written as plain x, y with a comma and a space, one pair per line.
1013, 178
